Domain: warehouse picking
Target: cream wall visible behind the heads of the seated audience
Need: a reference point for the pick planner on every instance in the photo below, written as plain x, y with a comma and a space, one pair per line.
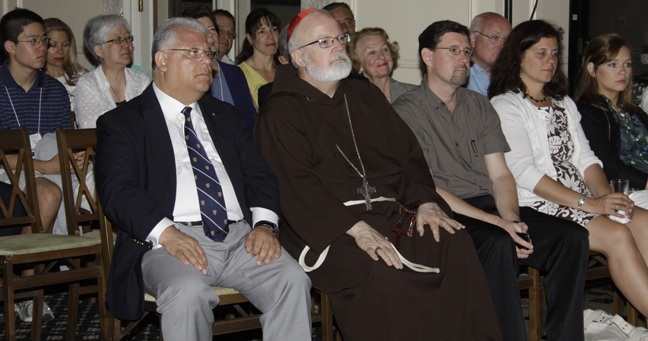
404, 20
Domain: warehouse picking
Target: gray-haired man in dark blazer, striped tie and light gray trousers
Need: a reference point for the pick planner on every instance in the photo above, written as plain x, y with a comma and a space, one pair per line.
162, 158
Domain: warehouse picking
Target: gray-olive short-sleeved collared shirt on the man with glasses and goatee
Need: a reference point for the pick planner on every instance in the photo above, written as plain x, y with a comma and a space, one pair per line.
454, 143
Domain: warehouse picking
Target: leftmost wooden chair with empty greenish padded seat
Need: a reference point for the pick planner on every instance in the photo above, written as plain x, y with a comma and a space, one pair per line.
42, 252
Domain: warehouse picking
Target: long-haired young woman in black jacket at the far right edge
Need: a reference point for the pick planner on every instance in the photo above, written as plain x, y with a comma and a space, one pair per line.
614, 126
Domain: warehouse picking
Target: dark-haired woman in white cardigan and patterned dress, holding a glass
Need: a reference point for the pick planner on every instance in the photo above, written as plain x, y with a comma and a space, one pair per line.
555, 170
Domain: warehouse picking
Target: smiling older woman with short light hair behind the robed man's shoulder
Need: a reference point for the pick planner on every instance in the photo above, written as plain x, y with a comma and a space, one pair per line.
375, 57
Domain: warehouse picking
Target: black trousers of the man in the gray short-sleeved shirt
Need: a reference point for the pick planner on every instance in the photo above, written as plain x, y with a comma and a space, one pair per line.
560, 252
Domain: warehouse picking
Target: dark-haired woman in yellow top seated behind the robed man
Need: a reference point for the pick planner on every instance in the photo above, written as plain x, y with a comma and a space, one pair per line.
257, 56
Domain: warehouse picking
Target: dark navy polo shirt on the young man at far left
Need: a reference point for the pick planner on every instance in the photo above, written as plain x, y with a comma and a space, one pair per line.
21, 109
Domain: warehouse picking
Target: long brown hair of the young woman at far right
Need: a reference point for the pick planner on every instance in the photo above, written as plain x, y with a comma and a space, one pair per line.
599, 51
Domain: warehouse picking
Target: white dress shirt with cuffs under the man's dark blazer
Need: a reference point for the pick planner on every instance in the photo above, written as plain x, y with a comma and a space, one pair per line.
187, 207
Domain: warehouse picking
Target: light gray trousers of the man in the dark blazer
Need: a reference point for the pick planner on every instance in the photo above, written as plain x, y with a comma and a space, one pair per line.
185, 297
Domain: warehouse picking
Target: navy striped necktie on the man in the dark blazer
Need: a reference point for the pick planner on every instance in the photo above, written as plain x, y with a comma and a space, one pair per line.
210, 192
